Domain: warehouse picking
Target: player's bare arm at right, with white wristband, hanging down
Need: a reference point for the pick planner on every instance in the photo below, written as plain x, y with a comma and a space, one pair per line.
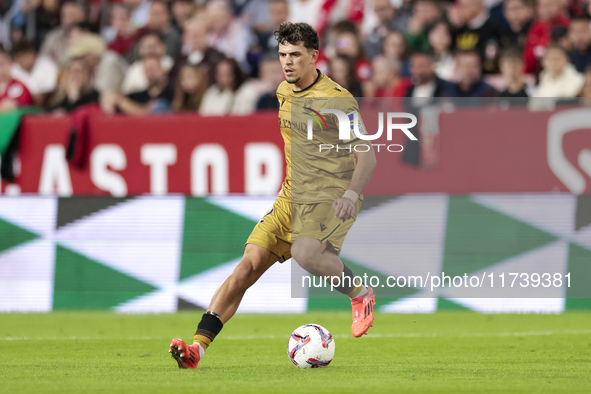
366, 164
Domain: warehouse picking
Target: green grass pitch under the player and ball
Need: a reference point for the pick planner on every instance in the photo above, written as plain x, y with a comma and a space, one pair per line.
453, 352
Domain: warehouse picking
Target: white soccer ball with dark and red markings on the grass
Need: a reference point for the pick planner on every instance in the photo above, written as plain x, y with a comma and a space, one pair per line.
311, 346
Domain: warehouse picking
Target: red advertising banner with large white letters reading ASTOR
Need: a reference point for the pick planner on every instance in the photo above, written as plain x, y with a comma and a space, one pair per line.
476, 150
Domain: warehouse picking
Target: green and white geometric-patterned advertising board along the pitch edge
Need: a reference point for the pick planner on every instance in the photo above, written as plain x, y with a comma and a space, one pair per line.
162, 254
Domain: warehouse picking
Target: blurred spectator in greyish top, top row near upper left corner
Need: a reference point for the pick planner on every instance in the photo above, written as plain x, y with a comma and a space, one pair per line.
55, 45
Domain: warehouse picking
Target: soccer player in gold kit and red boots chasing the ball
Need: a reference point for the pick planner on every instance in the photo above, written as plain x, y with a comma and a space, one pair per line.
318, 202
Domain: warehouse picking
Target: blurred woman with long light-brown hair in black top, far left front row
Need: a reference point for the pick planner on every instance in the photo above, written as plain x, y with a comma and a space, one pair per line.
75, 89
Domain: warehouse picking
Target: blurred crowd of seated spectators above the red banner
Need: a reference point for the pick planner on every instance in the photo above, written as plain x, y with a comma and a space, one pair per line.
219, 57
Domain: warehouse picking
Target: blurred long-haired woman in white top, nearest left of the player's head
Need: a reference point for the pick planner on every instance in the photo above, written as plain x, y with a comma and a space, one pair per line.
230, 94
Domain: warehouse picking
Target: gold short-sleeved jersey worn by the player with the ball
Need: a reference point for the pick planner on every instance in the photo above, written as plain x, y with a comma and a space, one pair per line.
315, 172
